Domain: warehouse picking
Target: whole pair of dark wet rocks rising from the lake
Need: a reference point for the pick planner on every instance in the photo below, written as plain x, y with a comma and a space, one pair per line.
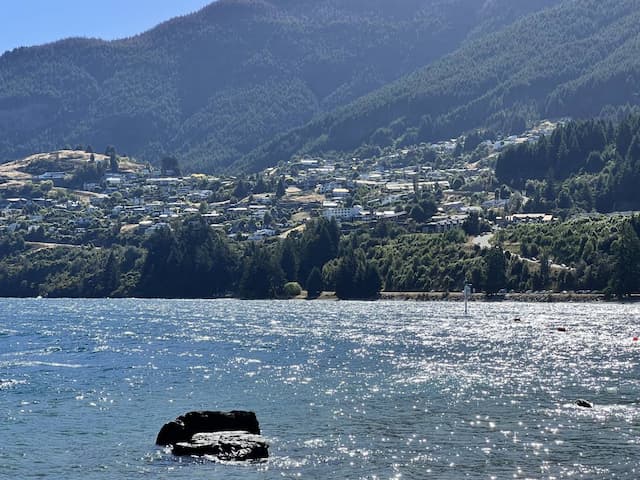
231, 435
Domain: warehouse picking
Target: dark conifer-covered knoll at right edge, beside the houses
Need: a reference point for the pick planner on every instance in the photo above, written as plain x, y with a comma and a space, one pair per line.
589, 165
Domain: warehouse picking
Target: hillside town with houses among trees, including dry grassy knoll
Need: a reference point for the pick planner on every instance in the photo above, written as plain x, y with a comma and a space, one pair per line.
45, 198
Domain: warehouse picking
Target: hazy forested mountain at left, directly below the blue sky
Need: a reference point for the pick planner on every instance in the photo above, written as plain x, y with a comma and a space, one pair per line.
213, 86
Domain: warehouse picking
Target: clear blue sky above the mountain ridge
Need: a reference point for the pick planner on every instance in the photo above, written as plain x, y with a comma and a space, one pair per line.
32, 22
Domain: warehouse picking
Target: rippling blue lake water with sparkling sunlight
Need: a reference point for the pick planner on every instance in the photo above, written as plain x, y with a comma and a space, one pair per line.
342, 390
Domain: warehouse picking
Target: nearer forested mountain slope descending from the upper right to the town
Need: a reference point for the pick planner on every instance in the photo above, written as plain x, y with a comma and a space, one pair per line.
574, 59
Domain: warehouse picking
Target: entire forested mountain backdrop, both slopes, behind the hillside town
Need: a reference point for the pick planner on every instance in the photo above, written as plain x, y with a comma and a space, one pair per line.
245, 85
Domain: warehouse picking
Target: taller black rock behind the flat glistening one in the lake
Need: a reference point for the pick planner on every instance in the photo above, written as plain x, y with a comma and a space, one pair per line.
186, 426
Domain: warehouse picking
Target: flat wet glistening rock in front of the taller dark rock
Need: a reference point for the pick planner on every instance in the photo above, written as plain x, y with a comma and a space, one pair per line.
228, 446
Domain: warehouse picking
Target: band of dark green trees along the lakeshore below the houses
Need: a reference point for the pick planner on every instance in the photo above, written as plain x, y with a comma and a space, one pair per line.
581, 258
